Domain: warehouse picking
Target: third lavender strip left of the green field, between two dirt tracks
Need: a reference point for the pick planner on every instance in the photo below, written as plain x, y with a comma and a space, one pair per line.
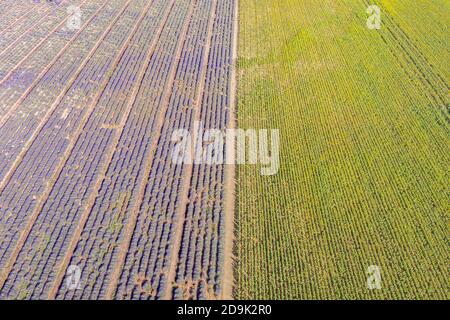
104, 227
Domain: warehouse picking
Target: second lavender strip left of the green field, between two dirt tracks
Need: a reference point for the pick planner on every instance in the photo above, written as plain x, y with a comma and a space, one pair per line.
148, 259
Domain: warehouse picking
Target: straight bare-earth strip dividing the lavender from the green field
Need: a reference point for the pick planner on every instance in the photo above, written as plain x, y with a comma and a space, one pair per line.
230, 174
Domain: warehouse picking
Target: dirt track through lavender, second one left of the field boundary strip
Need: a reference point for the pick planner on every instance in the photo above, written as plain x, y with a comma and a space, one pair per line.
129, 228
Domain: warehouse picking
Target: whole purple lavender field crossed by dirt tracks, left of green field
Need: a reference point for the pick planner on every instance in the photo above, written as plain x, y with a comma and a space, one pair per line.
86, 120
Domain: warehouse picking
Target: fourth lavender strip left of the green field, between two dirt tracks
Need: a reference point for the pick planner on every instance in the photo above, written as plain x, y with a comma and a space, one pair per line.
80, 173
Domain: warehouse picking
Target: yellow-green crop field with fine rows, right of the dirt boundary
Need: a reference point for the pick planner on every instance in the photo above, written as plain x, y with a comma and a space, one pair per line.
364, 150
